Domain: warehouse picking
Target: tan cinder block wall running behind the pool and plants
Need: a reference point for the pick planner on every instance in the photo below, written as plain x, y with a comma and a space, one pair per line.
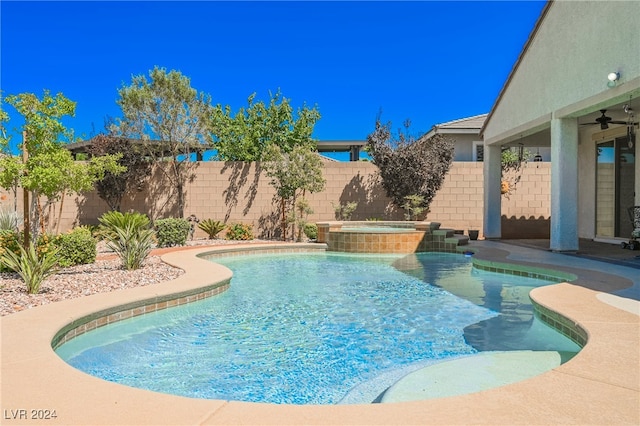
237, 192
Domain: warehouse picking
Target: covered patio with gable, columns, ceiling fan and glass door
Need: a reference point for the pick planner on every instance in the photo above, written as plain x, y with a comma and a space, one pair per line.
575, 88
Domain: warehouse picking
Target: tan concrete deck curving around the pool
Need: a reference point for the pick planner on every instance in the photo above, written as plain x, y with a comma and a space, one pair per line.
600, 385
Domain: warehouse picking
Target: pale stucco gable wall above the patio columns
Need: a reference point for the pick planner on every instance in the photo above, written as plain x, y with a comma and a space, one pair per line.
576, 45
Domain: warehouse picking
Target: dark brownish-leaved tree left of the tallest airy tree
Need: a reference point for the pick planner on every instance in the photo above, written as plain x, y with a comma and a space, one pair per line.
112, 187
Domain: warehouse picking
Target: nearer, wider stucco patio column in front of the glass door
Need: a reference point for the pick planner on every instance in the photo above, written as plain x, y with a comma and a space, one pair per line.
564, 184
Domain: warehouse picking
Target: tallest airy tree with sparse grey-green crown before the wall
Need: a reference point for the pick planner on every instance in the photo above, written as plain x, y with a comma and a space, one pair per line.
171, 120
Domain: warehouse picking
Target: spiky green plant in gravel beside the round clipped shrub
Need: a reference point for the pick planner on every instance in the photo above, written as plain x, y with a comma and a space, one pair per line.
131, 244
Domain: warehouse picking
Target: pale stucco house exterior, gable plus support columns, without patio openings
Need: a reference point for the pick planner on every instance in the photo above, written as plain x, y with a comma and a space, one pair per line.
558, 84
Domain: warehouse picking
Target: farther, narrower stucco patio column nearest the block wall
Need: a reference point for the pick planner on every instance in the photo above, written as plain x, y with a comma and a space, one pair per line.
492, 217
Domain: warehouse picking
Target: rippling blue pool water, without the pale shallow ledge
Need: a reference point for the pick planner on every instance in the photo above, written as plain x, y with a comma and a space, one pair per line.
319, 328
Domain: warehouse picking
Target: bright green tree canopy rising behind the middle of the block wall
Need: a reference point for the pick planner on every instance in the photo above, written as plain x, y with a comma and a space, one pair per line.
246, 135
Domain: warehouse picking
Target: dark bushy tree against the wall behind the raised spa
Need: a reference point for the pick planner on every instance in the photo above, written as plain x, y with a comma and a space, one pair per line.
412, 171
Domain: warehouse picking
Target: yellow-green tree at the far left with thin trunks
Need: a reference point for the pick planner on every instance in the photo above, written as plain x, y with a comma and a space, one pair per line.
49, 172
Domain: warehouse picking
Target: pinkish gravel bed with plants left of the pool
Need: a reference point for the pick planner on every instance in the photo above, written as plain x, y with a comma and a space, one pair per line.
106, 274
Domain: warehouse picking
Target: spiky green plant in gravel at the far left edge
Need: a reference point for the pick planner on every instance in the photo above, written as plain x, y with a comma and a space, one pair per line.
31, 266
